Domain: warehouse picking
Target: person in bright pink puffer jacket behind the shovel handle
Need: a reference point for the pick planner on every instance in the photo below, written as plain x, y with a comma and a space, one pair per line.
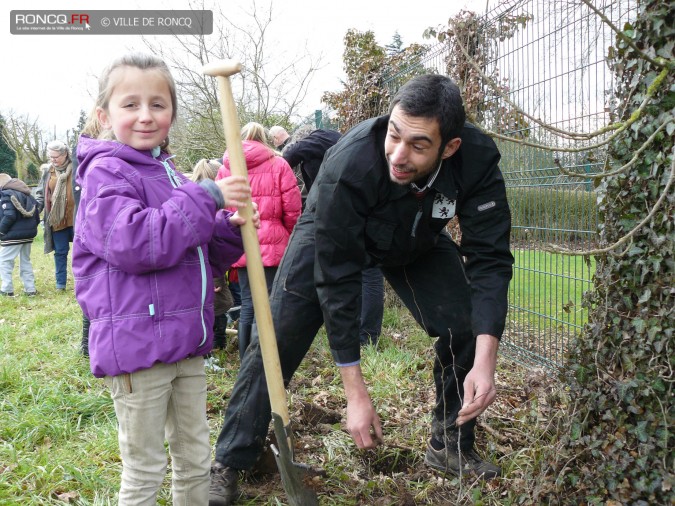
275, 189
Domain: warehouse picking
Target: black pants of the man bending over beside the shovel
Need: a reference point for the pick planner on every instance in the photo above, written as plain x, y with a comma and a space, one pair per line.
435, 290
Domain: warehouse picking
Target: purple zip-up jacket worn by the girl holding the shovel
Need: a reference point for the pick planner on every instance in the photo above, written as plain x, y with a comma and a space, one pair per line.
147, 246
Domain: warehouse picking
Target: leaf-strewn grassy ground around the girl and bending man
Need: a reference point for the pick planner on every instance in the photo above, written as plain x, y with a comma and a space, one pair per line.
58, 438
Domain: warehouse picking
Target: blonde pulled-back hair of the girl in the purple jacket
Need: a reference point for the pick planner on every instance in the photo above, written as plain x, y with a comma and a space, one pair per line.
140, 61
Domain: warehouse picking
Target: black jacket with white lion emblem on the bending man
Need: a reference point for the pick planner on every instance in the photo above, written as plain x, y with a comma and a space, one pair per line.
361, 218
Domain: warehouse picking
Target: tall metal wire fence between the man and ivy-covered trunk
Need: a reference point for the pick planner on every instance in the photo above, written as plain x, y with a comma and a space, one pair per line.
552, 67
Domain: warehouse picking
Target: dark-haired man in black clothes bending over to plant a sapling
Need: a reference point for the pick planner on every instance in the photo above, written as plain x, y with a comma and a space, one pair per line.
382, 198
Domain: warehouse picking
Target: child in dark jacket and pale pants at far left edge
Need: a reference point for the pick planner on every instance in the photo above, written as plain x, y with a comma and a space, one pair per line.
19, 218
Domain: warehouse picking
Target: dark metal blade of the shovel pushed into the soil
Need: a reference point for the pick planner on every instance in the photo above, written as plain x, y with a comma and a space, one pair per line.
298, 493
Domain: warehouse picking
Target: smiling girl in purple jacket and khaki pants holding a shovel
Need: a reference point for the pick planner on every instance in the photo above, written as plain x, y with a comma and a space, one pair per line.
144, 234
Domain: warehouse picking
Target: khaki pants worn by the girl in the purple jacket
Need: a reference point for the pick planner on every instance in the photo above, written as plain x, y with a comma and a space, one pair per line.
165, 401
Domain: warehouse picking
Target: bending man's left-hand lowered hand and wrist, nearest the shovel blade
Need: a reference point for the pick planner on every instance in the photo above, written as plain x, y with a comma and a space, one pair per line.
361, 415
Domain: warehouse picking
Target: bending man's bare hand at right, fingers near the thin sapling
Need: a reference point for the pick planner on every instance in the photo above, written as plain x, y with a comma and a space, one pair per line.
479, 384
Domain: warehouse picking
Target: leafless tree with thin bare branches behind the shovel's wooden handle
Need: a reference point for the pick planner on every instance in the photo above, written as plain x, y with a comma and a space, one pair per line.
269, 90
